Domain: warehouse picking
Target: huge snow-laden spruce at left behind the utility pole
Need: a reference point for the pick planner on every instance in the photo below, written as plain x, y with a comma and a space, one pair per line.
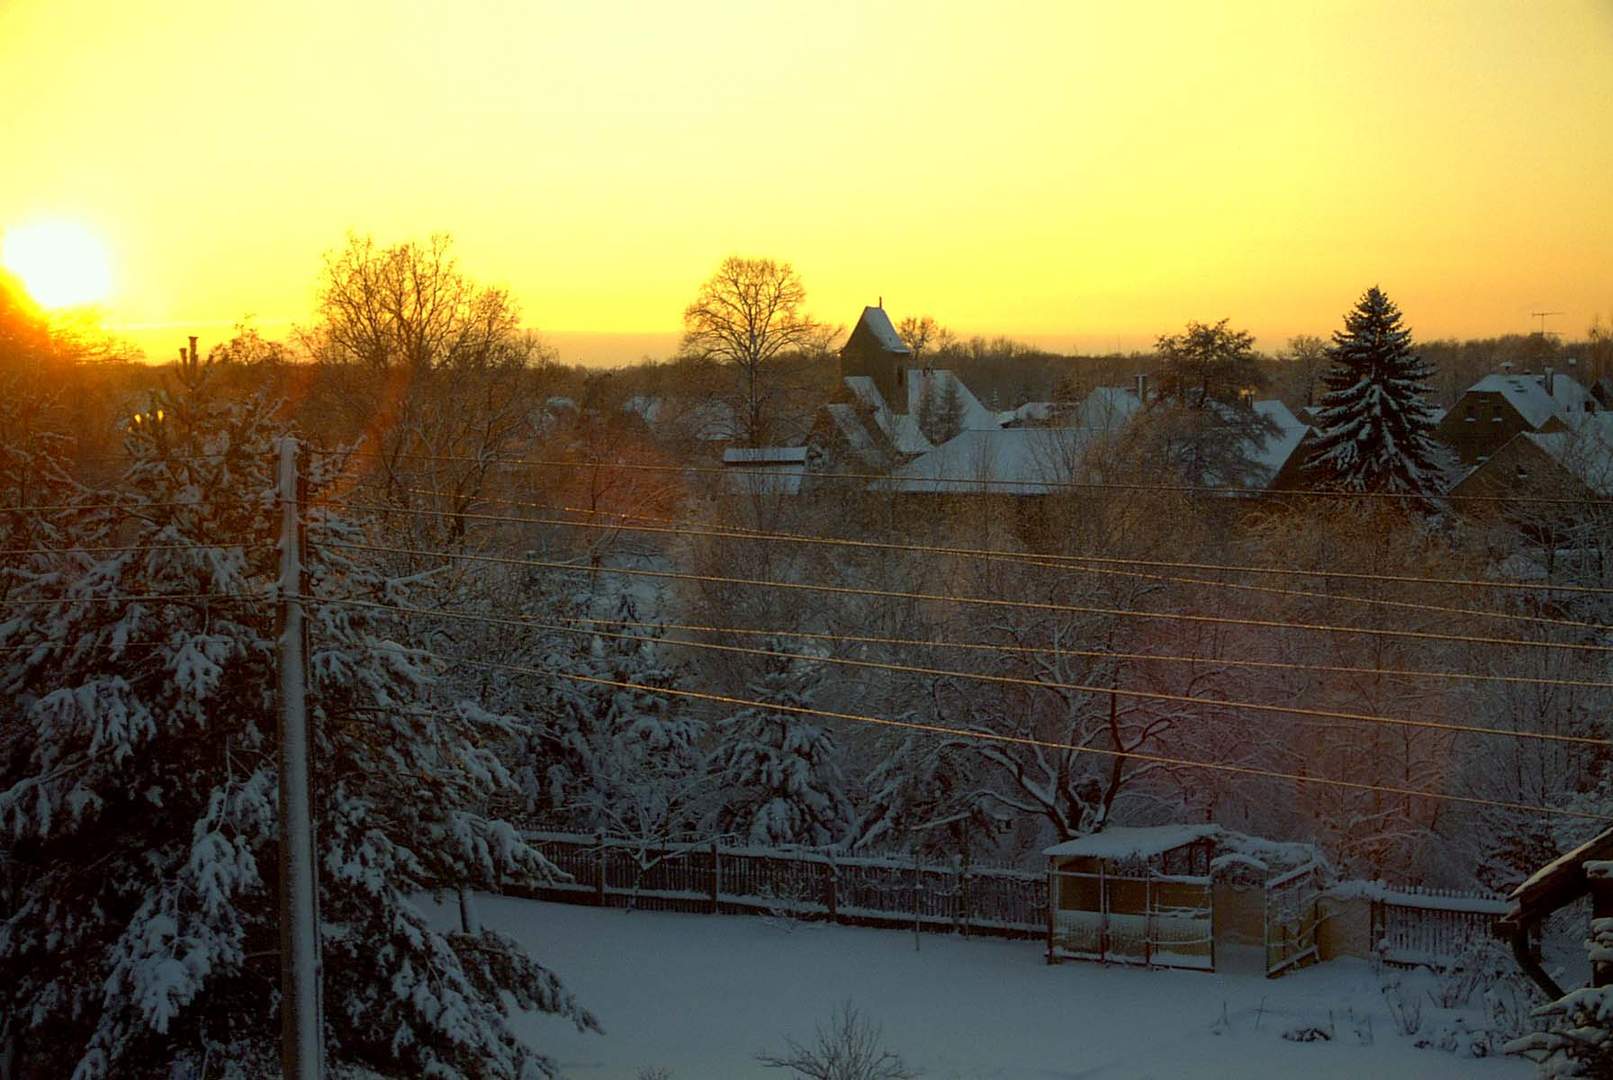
141, 931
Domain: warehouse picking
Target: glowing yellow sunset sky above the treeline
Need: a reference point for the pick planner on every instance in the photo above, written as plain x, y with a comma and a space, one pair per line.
1083, 175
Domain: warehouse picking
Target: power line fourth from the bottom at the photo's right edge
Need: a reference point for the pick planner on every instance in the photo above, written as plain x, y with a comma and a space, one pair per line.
990, 602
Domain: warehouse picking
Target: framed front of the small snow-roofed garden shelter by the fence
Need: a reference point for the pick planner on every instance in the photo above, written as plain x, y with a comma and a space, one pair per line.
1162, 921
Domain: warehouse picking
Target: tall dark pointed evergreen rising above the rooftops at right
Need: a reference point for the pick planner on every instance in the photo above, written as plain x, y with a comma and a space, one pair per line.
1375, 426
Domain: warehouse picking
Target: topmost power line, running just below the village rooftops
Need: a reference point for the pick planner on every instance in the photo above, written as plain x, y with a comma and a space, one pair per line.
965, 484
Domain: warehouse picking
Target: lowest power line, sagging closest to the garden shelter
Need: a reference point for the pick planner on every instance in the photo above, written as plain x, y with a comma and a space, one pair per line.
1020, 741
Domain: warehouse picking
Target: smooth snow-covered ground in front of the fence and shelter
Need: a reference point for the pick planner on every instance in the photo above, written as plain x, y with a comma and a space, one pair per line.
699, 995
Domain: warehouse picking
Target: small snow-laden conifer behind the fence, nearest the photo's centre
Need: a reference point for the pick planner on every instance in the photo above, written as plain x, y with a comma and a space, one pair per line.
780, 771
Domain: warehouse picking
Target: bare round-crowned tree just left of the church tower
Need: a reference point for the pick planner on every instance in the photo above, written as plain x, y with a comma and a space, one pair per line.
748, 317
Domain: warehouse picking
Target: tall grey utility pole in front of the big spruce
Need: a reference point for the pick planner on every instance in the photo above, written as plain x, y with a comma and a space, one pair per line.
301, 994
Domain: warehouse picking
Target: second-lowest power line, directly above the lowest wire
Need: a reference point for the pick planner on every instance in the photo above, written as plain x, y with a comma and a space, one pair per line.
1014, 681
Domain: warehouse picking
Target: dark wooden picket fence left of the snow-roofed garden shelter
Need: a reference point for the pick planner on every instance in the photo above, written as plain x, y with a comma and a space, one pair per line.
714, 878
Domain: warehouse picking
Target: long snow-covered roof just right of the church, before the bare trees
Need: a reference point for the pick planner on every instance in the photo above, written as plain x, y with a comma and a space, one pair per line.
1002, 460
